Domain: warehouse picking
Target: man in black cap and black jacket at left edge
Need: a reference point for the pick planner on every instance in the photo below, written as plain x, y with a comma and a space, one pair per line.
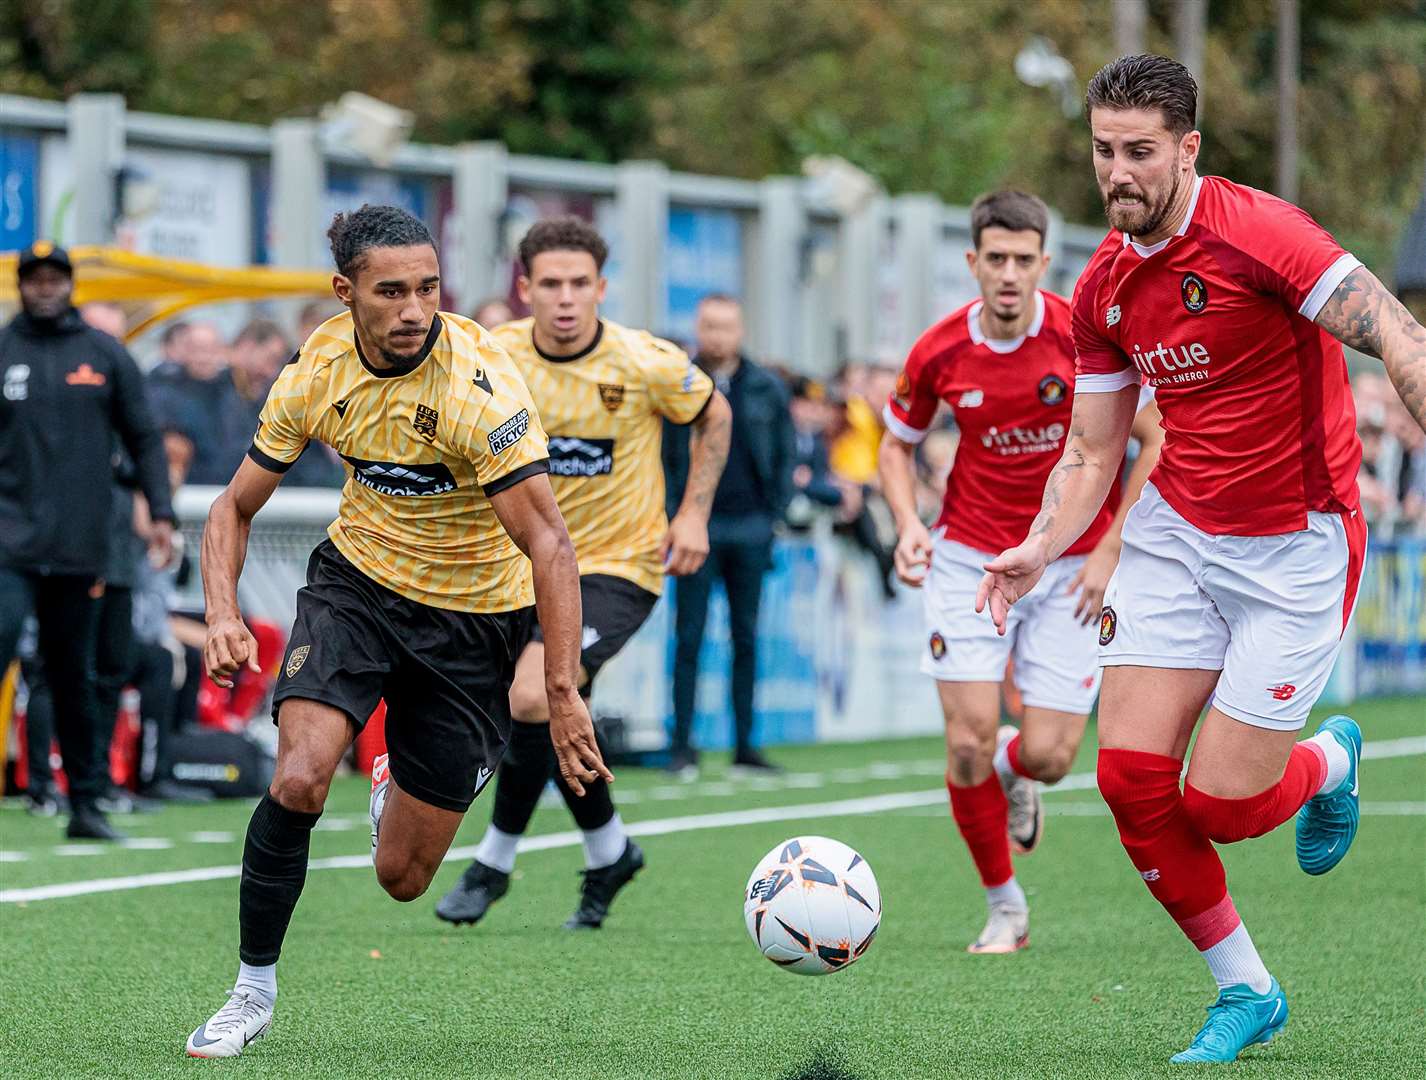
66, 393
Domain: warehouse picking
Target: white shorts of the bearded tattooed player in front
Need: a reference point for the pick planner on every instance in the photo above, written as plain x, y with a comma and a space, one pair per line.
1266, 611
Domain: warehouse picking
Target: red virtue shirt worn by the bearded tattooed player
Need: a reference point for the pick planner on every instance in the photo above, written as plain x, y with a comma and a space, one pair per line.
1258, 417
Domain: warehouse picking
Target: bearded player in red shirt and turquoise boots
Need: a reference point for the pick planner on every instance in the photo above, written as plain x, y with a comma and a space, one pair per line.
1241, 560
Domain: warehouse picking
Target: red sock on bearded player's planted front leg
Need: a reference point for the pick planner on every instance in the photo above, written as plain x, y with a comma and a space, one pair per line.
1173, 857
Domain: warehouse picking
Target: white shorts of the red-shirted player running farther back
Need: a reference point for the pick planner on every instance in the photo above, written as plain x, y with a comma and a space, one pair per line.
1056, 657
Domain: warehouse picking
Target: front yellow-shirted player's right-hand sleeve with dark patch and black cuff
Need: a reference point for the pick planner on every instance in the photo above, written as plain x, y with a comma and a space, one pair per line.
500, 432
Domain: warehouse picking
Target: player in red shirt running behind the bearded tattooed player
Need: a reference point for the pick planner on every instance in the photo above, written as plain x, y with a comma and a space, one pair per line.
1006, 367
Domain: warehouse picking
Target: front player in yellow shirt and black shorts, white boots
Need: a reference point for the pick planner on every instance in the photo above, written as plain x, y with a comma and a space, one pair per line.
423, 594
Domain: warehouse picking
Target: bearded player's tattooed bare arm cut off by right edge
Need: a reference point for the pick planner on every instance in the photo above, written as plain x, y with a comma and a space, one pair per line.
1365, 316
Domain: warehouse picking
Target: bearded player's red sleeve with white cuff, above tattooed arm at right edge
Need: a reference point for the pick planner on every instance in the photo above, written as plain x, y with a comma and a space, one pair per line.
1278, 249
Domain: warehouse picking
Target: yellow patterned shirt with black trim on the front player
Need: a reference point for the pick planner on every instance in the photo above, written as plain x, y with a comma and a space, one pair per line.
426, 447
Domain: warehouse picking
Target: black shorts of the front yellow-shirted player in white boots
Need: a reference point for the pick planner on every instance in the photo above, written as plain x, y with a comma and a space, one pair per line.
446, 676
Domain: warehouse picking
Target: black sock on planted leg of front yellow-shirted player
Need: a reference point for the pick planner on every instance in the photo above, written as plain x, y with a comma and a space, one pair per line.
275, 868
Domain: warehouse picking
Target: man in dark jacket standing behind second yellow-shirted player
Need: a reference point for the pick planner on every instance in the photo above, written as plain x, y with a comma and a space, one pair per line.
751, 500
